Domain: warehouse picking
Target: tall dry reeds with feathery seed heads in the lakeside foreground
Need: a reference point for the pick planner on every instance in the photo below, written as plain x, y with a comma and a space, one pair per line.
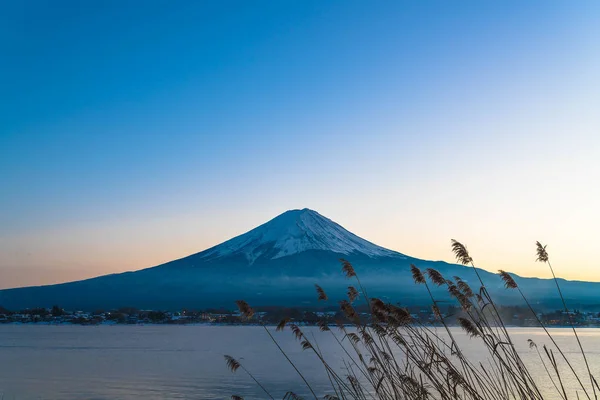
394, 357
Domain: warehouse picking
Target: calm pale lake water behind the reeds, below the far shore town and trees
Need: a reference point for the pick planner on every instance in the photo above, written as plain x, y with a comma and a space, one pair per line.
186, 362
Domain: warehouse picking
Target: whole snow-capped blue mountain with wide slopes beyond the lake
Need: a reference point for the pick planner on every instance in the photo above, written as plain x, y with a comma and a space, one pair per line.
277, 264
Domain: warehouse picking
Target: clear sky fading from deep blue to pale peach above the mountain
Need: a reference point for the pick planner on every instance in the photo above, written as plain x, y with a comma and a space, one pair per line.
133, 133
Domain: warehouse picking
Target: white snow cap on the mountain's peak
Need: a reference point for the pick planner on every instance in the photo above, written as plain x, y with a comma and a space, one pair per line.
296, 231
